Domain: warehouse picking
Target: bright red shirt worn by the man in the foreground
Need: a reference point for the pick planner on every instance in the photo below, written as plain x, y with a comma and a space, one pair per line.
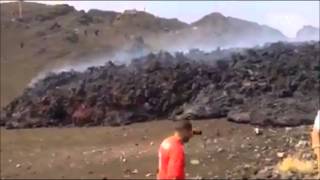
171, 159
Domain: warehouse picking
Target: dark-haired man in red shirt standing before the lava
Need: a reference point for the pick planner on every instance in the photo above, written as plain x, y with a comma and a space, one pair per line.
171, 152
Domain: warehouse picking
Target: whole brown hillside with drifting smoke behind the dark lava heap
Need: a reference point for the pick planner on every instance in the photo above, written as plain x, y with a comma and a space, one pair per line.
53, 36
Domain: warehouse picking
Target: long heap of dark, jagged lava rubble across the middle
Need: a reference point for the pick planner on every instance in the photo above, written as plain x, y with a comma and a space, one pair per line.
274, 85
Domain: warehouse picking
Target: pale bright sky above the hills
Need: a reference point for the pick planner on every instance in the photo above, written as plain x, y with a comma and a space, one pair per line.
286, 16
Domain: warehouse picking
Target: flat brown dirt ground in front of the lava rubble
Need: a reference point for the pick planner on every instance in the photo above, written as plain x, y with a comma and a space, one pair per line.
224, 150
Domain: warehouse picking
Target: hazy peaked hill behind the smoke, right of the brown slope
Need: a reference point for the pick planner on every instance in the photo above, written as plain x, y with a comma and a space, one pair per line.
236, 30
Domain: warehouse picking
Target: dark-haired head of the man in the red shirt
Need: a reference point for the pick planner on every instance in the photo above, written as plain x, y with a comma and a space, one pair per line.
184, 129
